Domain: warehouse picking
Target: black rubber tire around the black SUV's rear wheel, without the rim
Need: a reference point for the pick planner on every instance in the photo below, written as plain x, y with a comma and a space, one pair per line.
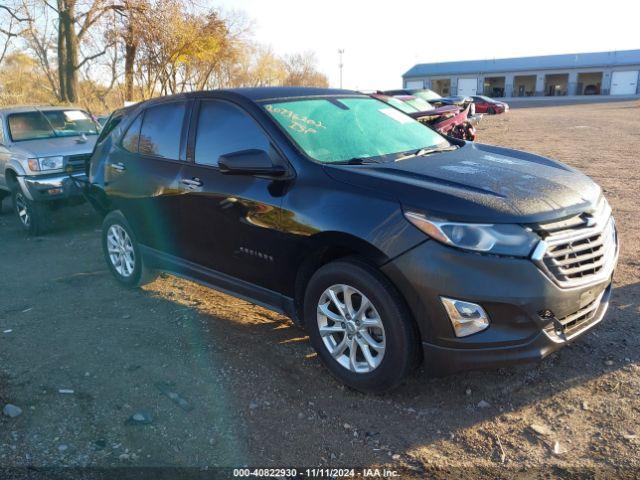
139, 275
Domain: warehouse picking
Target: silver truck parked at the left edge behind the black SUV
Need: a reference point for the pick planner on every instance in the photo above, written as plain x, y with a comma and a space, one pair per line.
40, 147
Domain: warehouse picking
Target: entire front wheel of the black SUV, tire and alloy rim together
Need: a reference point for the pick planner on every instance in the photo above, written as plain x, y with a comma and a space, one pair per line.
381, 370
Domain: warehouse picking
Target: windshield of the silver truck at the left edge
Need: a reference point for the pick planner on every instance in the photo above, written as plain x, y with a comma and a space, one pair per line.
49, 124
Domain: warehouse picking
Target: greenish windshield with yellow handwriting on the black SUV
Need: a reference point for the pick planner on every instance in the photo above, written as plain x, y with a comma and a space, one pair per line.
339, 130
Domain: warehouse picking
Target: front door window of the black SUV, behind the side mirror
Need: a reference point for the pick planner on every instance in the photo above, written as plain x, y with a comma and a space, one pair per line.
224, 128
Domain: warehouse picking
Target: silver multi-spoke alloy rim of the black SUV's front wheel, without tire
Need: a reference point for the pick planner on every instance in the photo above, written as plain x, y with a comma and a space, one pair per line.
351, 328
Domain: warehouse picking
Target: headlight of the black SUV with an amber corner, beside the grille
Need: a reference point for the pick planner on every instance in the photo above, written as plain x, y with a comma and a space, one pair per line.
500, 239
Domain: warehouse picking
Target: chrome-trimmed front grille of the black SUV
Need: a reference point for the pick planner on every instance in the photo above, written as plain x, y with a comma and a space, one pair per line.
581, 251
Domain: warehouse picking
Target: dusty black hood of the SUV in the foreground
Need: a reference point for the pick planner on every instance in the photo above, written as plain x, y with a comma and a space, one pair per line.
479, 183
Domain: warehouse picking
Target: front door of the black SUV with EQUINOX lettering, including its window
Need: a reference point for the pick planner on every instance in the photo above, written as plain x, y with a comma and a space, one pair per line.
229, 222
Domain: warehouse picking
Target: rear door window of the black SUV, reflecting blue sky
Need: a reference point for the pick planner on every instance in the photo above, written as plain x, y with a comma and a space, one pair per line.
162, 130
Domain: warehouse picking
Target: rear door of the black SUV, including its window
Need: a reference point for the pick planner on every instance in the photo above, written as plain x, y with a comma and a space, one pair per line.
142, 173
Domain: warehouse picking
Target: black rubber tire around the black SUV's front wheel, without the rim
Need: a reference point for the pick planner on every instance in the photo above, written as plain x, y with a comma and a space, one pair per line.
401, 354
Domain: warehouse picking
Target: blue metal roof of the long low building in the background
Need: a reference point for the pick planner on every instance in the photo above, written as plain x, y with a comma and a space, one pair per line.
547, 62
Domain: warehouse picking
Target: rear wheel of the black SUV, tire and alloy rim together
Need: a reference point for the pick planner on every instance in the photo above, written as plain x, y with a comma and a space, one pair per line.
122, 252
